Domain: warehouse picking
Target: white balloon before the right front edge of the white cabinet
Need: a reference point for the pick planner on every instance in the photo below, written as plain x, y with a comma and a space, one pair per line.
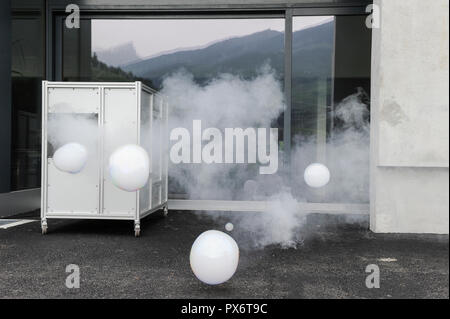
129, 167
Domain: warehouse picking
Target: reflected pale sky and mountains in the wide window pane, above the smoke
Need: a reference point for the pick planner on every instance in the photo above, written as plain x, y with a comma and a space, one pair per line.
152, 49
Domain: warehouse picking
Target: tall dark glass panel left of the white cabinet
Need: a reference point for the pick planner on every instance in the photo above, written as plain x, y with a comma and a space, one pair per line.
27, 72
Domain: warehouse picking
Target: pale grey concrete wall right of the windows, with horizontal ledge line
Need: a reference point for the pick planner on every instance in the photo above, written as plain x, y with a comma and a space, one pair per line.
410, 110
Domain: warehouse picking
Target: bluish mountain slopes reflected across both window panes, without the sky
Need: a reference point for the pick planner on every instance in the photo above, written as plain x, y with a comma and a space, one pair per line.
312, 51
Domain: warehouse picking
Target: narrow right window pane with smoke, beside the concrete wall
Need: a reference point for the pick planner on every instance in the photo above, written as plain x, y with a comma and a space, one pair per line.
330, 106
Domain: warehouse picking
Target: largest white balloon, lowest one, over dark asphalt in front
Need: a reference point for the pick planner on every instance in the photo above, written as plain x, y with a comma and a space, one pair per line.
214, 257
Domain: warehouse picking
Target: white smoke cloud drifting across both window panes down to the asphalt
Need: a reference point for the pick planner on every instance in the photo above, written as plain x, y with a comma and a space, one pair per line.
232, 101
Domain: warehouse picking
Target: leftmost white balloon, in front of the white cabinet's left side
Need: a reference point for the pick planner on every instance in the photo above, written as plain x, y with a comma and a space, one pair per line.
70, 158
